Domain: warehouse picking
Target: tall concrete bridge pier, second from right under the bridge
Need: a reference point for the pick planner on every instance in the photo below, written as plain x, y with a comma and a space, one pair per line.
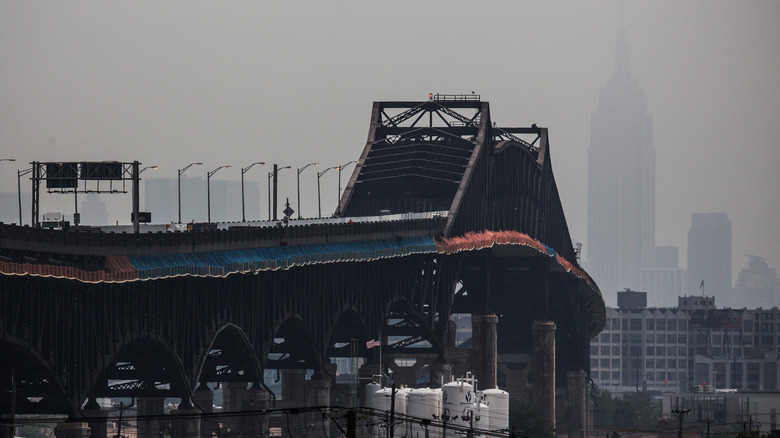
544, 369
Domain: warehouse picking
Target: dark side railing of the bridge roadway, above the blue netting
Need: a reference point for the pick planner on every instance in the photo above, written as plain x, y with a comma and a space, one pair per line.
96, 243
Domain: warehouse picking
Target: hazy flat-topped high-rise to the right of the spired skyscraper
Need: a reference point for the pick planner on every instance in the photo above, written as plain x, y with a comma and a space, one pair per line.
709, 256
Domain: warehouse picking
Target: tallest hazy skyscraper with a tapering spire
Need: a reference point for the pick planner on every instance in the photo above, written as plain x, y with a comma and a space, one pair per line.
621, 183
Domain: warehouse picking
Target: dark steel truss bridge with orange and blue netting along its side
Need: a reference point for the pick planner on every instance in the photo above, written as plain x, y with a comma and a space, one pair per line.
87, 314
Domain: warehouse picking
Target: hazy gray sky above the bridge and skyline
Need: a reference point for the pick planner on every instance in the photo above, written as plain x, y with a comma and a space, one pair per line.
172, 82
